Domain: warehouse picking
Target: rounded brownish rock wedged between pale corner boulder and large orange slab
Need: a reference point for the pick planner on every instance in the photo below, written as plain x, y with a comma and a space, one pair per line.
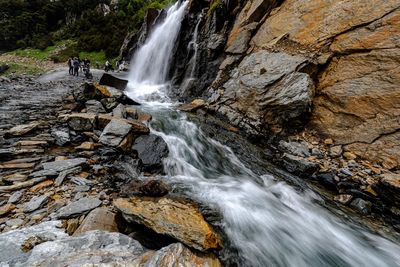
101, 219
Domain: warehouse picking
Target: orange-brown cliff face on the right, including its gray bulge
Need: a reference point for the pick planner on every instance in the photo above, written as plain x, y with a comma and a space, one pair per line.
333, 61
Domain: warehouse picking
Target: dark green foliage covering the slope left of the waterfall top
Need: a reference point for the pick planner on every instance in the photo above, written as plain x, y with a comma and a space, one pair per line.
40, 24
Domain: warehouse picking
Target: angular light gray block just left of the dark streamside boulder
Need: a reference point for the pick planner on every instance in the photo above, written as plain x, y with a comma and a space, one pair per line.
114, 133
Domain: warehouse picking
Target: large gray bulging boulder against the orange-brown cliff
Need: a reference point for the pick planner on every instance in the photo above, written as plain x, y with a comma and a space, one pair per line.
265, 91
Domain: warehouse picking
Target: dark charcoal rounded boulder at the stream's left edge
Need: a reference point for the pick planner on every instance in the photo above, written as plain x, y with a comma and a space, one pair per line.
151, 149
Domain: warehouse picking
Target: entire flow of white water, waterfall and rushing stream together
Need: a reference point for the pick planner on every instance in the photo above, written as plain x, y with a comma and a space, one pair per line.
269, 223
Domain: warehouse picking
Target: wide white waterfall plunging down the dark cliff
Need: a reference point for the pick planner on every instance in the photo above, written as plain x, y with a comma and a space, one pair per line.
150, 65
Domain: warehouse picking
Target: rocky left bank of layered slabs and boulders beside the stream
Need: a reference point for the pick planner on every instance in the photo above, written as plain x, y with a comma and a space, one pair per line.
70, 157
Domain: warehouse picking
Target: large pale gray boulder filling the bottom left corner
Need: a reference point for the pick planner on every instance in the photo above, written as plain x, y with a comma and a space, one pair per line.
59, 249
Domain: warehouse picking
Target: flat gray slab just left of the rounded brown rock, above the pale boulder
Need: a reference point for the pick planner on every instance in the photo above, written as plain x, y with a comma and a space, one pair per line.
74, 209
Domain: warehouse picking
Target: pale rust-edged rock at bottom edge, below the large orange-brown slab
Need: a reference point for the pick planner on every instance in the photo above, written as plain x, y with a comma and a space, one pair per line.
177, 254
